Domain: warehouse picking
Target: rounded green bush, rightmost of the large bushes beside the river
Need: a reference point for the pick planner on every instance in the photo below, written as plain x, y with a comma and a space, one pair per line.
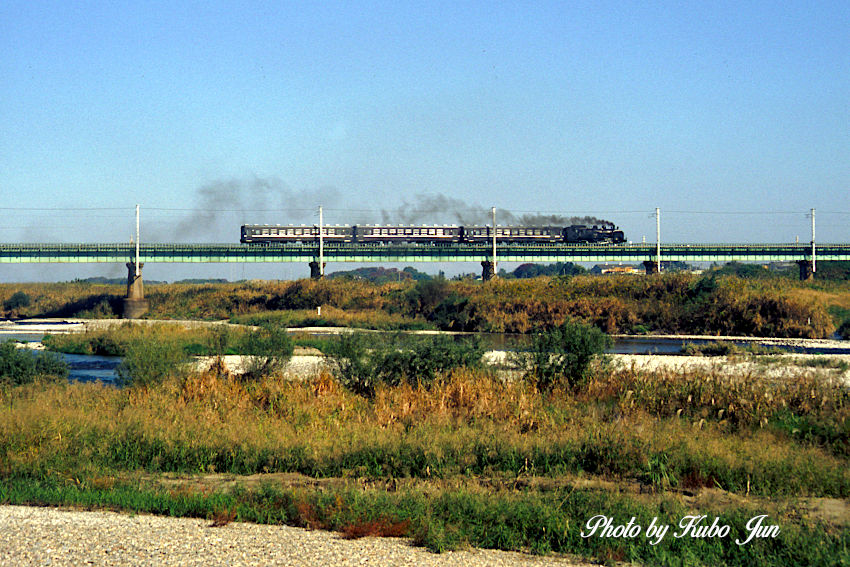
562, 354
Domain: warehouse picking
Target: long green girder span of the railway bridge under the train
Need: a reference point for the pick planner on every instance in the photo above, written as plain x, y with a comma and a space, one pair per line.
336, 252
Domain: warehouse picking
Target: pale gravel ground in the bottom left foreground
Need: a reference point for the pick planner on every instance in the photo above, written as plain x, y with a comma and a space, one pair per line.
50, 536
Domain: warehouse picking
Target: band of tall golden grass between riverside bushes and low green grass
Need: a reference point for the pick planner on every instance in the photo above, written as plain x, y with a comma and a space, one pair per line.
465, 423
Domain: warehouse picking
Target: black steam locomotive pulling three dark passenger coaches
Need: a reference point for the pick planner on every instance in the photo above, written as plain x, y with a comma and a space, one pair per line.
605, 233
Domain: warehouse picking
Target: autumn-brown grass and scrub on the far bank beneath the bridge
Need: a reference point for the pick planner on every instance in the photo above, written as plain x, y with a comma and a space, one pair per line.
672, 303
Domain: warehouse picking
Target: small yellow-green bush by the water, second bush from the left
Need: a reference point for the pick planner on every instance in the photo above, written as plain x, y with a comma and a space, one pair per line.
150, 361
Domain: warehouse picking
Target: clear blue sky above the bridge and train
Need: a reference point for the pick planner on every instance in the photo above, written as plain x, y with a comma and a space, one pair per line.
211, 114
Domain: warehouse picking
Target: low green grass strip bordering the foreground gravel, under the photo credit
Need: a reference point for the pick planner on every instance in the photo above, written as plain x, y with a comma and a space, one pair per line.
442, 519
